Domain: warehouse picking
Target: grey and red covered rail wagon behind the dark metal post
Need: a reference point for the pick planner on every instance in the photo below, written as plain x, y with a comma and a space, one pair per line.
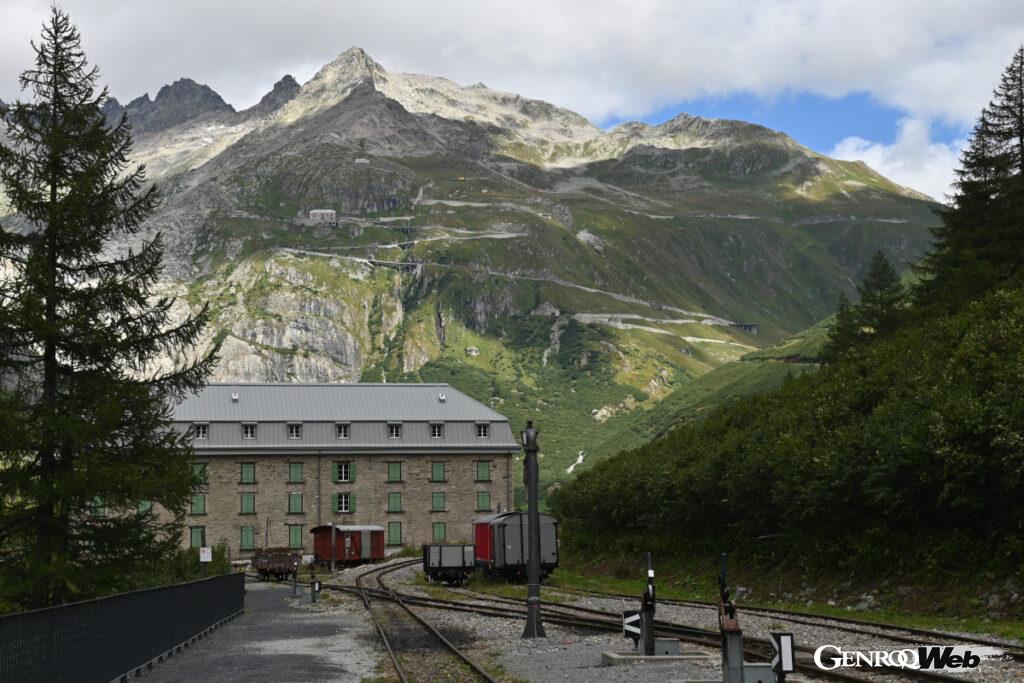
503, 544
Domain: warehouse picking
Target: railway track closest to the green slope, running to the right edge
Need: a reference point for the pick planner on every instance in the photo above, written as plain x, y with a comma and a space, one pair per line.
900, 634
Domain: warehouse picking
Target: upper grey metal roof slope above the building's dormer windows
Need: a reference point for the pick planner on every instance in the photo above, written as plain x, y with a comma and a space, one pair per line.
328, 403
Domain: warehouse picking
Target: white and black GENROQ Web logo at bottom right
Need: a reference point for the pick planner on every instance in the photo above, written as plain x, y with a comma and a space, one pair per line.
925, 658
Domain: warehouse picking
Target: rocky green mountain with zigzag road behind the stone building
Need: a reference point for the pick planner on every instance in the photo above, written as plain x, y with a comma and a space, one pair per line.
549, 268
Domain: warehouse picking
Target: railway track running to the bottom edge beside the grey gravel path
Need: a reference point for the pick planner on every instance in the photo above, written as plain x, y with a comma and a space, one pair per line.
375, 599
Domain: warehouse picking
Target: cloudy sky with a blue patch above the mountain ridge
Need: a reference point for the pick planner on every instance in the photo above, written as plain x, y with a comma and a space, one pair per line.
897, 83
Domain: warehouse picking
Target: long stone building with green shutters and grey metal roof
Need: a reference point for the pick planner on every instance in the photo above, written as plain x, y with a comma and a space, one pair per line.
420, 460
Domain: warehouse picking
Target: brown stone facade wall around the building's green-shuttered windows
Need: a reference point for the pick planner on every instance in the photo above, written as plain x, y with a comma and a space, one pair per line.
224, 521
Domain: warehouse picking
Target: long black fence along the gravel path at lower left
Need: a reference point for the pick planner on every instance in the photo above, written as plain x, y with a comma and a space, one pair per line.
104, 639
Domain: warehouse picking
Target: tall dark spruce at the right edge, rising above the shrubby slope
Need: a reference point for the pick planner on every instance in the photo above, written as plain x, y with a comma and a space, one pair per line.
980, 244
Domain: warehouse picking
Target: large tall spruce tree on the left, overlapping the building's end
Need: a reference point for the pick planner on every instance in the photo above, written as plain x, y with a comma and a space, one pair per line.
88, 446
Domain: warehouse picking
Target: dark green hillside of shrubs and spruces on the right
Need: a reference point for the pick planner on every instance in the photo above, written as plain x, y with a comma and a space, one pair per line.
904, 455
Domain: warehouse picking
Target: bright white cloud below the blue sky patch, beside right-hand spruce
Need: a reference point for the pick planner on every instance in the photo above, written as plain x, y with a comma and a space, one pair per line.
913, 160
